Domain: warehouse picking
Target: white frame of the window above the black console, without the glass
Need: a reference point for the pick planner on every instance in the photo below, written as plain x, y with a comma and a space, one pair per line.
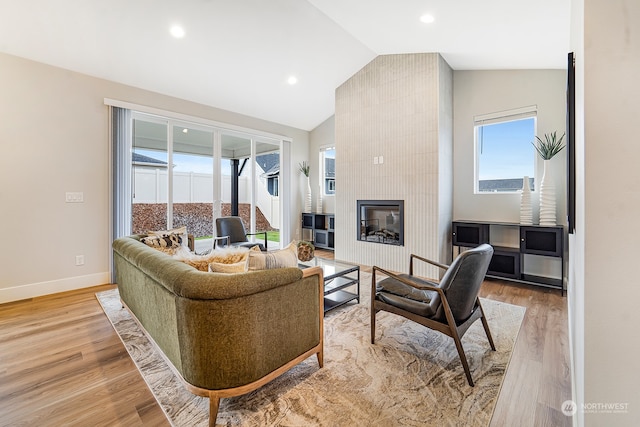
522, 113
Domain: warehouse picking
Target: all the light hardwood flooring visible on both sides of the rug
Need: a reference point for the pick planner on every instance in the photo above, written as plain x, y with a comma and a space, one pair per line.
61, 363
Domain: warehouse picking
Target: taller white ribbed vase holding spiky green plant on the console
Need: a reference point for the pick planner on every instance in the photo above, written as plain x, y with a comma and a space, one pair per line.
547, 149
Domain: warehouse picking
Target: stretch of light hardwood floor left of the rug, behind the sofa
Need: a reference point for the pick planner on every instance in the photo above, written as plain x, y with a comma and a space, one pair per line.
61, 363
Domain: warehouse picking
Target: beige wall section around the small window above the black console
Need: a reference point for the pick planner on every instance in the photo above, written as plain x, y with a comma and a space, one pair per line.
483, 92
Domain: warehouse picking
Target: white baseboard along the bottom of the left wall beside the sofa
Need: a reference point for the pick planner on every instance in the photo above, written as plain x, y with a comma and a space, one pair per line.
32, 290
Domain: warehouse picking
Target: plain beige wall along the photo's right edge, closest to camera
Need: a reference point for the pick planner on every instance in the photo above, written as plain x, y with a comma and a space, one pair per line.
611, 199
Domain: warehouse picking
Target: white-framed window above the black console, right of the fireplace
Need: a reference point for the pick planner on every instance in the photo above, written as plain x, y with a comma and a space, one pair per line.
504, 150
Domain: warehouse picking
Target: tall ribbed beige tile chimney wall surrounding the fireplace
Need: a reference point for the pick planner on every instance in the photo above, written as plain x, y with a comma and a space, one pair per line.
394, 141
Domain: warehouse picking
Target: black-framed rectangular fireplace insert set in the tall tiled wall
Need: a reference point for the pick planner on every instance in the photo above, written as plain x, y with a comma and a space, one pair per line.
381, 221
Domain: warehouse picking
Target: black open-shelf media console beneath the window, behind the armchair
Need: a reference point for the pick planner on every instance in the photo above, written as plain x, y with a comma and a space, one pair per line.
509, 262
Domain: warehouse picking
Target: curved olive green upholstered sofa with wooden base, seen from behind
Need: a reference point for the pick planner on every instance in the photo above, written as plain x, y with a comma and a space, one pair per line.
225, 334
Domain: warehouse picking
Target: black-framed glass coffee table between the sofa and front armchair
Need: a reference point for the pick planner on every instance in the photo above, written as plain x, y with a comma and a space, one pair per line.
341, 281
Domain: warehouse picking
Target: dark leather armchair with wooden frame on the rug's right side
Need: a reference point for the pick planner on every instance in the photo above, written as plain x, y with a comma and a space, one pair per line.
450, 306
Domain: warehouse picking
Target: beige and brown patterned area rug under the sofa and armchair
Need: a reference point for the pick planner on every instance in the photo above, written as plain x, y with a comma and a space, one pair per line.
411, 376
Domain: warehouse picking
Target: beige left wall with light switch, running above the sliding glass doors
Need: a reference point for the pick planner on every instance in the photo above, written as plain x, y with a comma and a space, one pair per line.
54, 121
